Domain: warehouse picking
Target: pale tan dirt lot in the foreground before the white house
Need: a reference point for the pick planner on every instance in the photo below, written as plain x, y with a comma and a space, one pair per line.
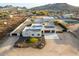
66, 45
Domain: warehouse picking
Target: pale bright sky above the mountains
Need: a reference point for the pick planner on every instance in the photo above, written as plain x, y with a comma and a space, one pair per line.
34, 3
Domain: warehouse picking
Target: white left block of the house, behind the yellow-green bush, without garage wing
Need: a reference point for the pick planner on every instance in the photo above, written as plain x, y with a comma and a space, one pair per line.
34, 31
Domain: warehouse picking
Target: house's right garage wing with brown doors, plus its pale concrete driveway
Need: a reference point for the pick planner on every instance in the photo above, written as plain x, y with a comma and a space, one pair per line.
50, 31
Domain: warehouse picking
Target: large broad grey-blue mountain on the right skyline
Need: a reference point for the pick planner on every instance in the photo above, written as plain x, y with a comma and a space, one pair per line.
56, 7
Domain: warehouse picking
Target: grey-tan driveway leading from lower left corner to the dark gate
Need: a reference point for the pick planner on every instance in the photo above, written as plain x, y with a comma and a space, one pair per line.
8, 44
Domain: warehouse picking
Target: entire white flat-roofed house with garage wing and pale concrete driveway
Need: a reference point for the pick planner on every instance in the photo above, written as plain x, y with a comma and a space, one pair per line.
37, 30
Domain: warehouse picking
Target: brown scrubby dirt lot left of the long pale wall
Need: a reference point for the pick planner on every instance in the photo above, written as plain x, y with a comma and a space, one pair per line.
11, 24
